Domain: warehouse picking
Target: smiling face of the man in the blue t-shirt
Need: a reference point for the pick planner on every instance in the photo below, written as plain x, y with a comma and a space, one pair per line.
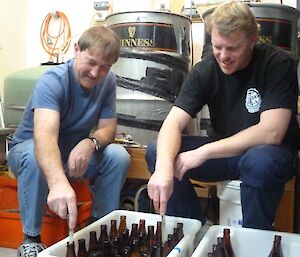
90, 67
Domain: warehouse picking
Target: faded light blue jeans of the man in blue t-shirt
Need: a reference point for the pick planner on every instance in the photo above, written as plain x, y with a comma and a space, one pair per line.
107, 172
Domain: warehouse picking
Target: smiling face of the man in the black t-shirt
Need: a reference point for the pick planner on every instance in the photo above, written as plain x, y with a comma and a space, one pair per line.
232, 52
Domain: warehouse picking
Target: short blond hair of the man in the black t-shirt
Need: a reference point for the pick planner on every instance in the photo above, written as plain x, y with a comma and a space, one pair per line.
230, 17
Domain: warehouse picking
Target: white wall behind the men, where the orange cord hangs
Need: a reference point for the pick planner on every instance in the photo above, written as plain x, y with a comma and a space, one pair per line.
21, 20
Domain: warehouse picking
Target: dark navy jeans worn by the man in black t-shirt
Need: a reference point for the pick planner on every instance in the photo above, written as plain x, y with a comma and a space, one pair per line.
263, 170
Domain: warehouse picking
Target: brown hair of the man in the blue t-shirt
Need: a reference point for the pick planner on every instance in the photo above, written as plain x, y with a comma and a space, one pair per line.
101, 37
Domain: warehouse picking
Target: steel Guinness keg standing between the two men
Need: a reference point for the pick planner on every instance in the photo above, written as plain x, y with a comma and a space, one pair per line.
155, 58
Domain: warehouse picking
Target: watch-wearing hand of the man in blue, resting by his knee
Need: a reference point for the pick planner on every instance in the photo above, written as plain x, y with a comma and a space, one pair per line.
80, 157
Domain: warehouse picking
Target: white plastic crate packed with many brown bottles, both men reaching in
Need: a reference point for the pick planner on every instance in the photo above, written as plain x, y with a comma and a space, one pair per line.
184, 248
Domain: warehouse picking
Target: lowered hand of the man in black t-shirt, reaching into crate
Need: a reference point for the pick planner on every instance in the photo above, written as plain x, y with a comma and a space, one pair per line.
160, 188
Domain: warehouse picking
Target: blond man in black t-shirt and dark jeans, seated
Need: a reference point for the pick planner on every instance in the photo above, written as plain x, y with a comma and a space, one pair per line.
251, 91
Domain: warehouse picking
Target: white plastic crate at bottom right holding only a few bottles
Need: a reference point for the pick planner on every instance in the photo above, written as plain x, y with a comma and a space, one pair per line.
247, 242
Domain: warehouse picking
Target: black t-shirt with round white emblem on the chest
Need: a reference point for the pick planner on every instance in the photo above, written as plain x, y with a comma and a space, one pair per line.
236, 101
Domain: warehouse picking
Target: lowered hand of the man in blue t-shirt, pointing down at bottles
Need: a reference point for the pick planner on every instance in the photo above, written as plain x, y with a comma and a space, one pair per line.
62, 201
